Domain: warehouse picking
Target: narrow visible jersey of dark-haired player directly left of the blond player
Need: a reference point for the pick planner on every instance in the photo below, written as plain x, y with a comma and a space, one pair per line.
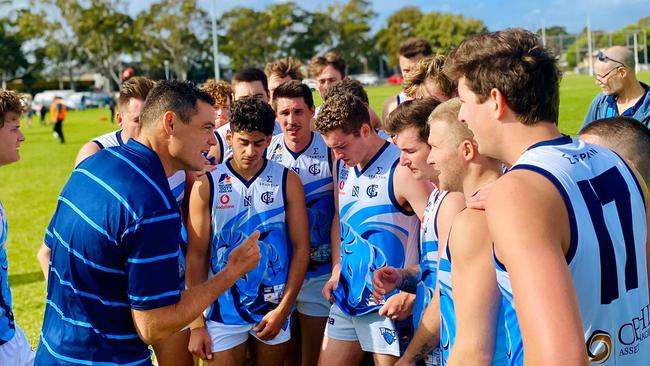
428, 251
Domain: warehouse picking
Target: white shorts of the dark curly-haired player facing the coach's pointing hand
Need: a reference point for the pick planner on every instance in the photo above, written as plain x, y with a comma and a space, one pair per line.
228, 336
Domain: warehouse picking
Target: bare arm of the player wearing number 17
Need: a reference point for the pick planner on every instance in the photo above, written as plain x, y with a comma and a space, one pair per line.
535, 259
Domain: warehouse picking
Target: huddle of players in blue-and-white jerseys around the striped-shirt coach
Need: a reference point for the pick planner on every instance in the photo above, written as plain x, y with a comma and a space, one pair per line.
239, 224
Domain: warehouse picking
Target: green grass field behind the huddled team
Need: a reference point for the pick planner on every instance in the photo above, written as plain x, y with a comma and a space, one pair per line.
30, 187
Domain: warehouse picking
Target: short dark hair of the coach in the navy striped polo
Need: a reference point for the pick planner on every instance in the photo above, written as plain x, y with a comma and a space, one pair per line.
180, 97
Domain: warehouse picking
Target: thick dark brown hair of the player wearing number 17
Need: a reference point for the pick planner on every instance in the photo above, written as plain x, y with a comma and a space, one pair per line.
514, 62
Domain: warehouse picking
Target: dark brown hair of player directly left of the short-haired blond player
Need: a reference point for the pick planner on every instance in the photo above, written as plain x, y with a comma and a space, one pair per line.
412, 113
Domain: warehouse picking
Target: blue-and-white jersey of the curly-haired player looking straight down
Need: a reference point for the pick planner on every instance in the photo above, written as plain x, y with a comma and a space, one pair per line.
375, 229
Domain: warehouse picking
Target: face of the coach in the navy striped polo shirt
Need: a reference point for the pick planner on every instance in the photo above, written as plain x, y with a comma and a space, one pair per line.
190, 142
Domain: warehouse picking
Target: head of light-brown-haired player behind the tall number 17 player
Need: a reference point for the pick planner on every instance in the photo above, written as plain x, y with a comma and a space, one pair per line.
426, 79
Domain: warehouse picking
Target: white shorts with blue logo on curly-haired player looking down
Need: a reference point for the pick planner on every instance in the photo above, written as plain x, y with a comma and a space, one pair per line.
375, 333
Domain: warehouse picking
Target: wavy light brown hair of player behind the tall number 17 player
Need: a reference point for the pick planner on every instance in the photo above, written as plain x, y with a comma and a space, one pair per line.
429, 68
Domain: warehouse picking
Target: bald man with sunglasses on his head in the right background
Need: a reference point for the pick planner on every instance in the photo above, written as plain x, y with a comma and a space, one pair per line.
623, 94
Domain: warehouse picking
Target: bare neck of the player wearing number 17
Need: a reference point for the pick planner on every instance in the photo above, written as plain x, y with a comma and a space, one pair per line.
520, 137
